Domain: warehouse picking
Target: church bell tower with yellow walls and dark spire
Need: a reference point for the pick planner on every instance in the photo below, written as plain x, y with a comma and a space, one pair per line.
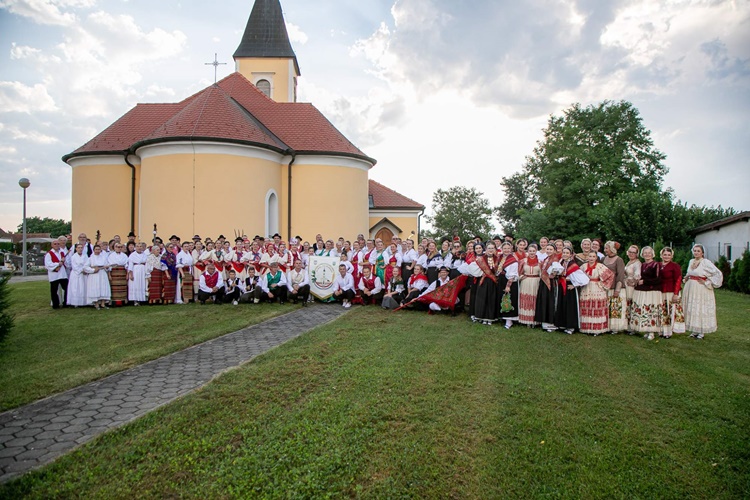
265, 55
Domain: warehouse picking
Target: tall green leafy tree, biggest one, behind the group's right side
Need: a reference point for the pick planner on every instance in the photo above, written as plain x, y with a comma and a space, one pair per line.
588, 156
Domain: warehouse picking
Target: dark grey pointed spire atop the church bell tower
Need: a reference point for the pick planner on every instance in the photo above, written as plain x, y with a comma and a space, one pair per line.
265, 34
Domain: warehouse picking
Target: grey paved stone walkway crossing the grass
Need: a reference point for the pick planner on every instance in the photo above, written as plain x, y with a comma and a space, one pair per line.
36, 434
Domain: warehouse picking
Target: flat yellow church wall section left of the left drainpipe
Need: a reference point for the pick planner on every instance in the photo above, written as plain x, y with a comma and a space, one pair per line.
101, 190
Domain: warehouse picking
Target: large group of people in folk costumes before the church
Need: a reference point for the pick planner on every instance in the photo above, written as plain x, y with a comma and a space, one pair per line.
546, 284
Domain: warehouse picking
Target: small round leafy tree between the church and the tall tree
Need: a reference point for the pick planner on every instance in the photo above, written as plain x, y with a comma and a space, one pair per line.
460, 209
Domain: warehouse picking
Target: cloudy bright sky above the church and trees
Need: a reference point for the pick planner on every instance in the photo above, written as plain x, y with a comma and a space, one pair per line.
440, 92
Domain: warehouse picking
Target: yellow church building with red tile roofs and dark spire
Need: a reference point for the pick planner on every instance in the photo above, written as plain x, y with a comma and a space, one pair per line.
240, 155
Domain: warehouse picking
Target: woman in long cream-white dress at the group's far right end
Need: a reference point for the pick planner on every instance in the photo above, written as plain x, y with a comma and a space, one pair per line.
698, 295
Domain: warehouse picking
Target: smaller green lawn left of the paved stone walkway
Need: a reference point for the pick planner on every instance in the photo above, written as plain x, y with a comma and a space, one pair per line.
50, 351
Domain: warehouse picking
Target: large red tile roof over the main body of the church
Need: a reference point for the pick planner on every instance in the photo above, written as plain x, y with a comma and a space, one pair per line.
232, 110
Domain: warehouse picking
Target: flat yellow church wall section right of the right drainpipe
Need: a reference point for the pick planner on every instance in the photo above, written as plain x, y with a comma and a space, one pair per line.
329, 199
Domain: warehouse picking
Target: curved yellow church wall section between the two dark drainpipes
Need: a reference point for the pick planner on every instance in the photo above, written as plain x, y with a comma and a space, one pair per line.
209, 193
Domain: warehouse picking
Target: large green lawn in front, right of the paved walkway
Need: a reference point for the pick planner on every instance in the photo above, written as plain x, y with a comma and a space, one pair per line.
381, 404
